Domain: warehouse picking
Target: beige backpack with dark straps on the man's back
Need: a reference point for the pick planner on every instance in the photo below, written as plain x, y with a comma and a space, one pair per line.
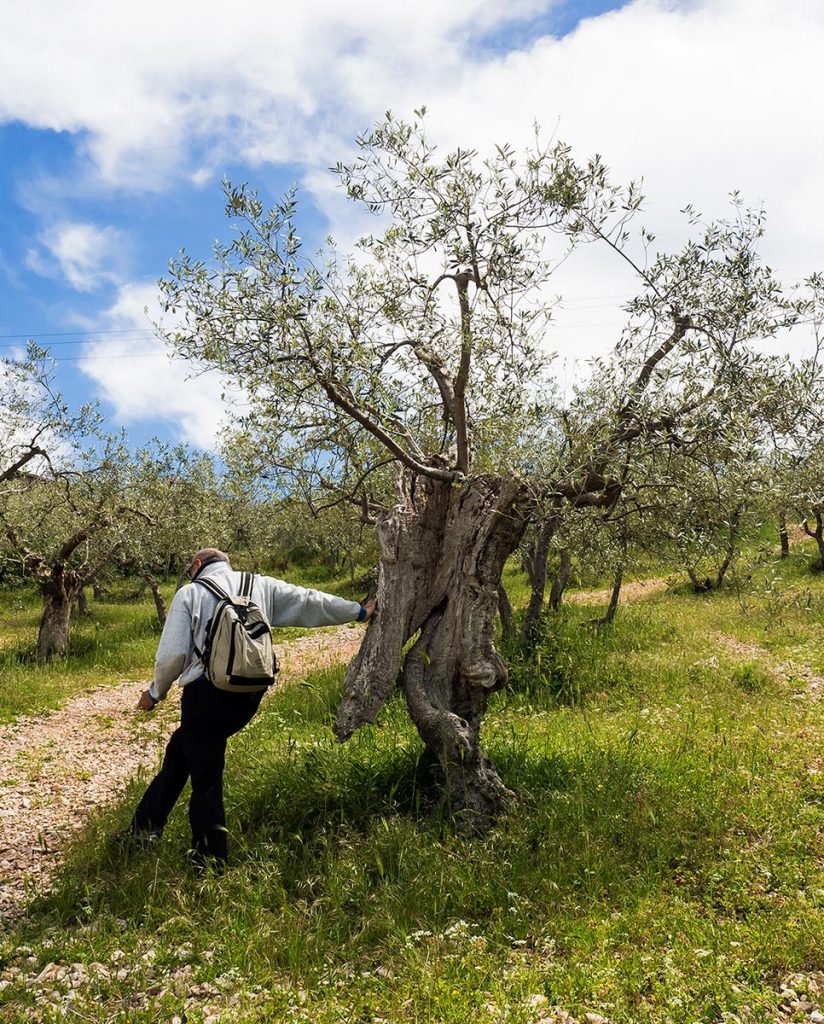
238, 655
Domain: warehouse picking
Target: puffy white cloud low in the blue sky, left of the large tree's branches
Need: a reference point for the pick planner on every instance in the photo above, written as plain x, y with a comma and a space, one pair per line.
136, 374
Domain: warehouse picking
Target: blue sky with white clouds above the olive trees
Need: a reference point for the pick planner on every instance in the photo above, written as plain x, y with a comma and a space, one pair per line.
117, 123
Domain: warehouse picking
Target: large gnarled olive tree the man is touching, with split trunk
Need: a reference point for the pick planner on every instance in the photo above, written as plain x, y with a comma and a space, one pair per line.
414, 378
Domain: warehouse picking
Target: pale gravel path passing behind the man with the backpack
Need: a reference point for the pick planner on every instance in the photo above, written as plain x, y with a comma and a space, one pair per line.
57, 769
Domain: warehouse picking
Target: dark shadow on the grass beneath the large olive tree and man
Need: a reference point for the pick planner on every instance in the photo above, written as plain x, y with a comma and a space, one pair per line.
350, 826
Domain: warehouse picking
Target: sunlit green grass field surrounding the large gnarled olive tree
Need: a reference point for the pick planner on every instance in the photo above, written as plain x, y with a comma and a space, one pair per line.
664, 862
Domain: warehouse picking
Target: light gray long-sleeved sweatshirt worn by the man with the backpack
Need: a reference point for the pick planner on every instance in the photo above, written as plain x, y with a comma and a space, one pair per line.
193, 608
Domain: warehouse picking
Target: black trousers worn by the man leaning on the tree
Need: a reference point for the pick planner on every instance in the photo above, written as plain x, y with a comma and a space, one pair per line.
197, 750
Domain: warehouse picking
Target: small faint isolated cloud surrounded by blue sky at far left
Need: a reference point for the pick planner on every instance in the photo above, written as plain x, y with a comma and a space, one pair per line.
86, 255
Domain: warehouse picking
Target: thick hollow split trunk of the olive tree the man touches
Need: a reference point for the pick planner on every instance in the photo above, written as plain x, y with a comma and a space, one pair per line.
443, 552
